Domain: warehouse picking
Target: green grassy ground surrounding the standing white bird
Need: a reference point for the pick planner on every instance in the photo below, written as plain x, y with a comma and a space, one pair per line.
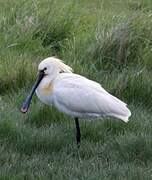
109, 41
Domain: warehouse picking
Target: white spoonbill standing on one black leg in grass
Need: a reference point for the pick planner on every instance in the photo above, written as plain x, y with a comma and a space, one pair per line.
74, 94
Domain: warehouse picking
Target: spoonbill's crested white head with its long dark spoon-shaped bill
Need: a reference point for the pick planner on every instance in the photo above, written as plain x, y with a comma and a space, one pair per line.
49, 67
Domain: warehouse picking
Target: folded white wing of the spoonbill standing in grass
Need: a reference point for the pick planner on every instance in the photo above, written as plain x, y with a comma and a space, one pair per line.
79, 94
